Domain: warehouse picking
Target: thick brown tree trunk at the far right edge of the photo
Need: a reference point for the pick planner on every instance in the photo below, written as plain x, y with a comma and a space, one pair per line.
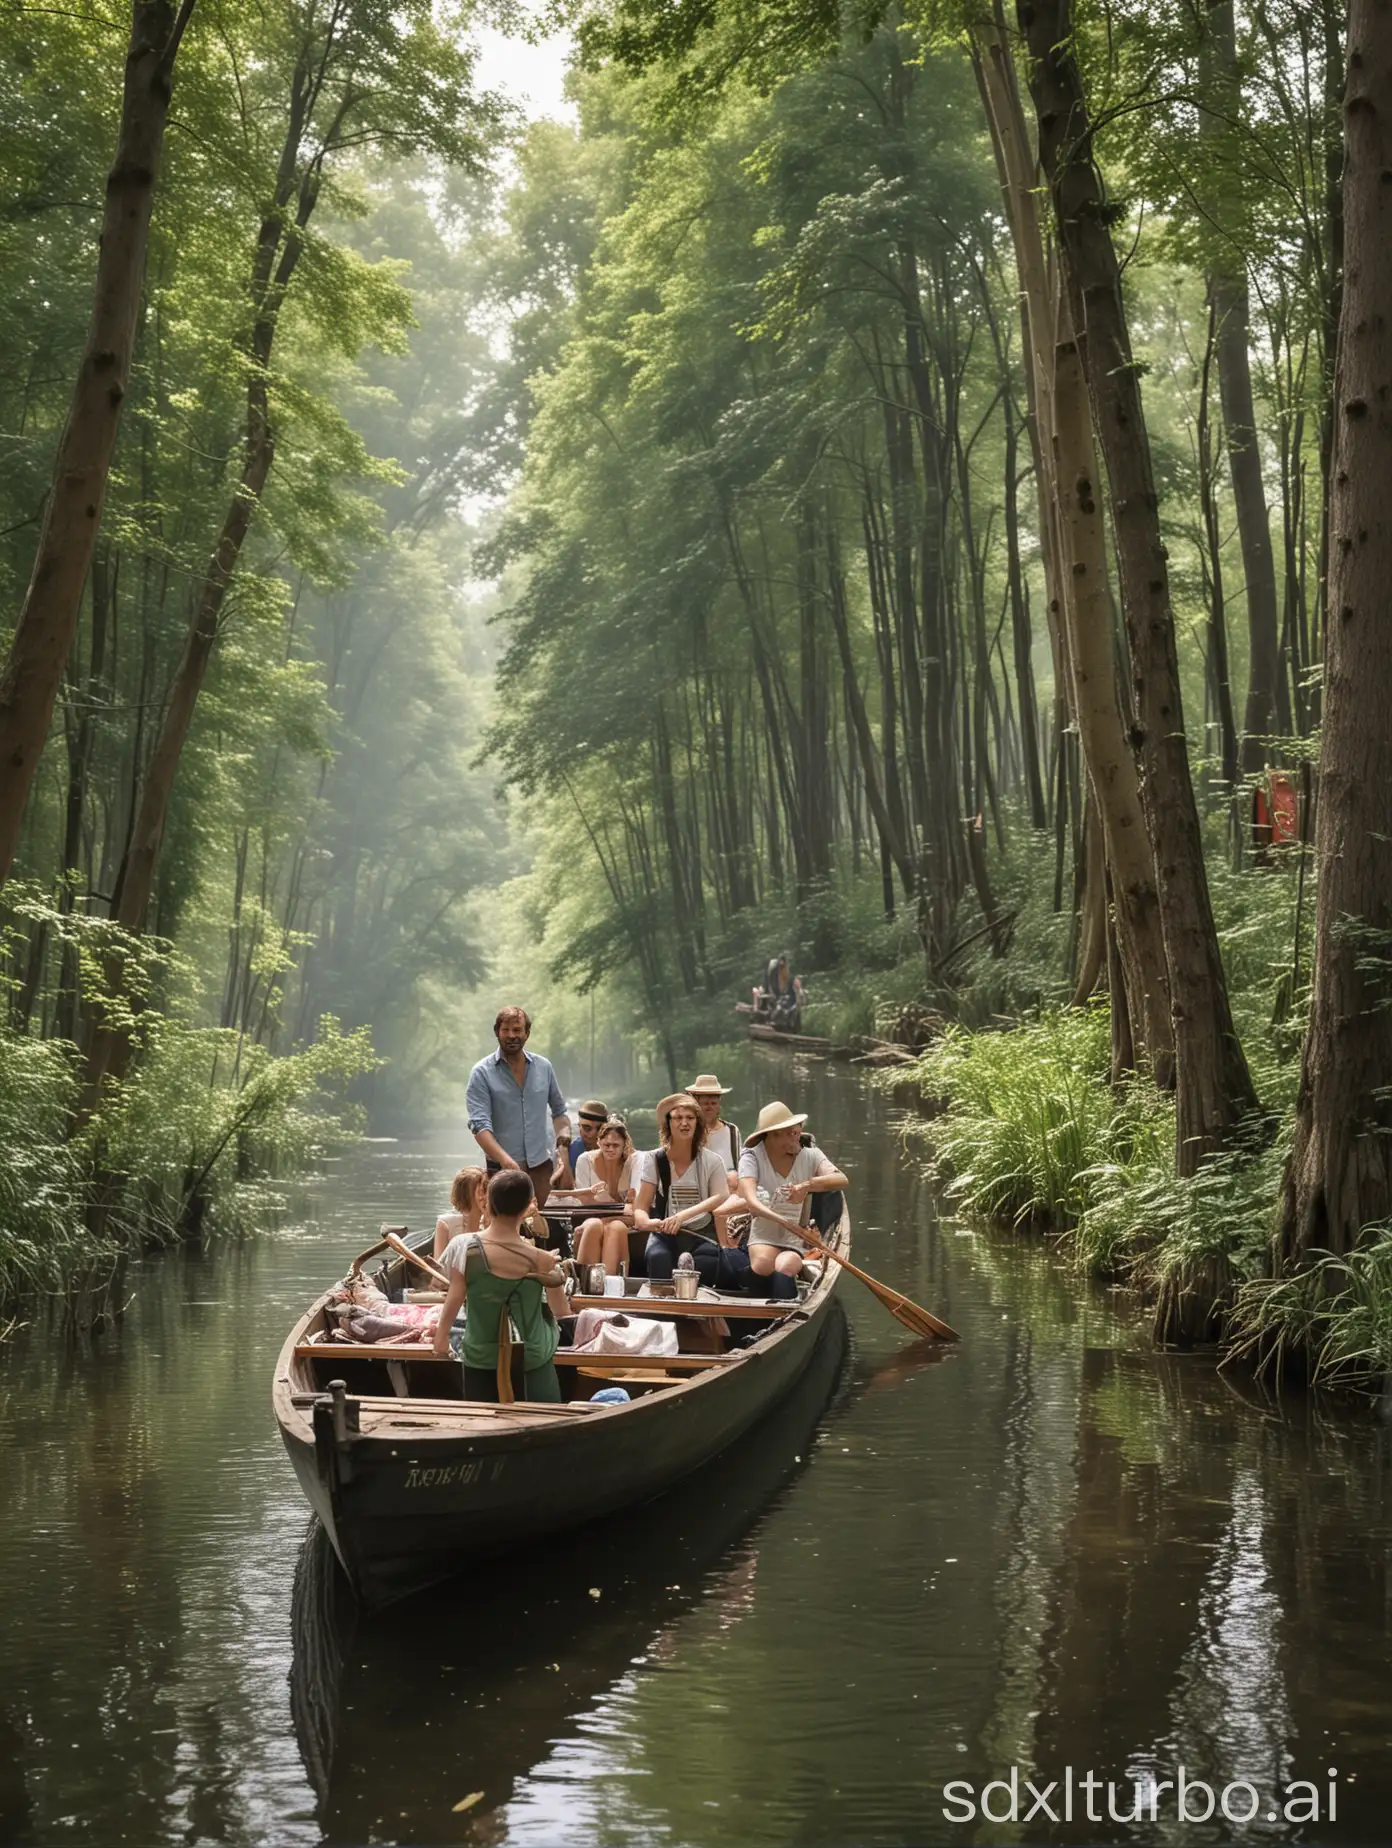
1341, 1171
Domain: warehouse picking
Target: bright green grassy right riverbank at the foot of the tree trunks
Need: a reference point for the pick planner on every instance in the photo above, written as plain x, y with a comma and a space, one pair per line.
1025, 1128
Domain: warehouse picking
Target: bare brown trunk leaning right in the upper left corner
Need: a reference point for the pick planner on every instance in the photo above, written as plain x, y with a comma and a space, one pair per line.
73, 513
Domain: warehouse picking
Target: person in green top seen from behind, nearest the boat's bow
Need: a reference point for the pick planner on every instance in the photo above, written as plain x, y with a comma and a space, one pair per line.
504, 1282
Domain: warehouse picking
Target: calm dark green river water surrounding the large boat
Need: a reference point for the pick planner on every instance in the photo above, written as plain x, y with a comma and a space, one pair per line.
1049, 1550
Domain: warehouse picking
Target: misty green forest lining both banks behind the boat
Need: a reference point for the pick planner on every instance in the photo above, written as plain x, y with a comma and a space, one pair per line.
859, 487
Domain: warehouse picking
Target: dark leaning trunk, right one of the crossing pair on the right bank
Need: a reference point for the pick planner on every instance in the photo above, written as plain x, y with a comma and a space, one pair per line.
1214, 1086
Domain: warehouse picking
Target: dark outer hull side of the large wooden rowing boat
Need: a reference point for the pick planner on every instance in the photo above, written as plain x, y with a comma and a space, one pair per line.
409, 1505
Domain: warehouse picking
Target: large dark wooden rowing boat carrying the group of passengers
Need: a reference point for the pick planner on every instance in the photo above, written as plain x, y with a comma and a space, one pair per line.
411, 1481
